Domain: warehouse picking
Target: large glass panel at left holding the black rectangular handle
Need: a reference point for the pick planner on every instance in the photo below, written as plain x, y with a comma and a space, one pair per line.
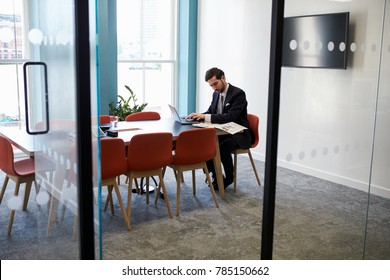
39, 117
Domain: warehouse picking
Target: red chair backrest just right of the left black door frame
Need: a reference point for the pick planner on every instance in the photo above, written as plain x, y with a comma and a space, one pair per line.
112, 157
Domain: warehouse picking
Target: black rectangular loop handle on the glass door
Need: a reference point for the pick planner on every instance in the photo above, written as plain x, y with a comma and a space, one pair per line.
35, 82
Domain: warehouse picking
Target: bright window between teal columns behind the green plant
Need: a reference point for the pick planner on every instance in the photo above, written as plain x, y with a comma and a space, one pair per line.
147, 50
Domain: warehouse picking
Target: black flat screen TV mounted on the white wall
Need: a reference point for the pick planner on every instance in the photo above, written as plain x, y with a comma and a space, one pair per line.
316, 41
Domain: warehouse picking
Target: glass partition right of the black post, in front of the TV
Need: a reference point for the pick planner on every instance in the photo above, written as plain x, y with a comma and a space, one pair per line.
333, 144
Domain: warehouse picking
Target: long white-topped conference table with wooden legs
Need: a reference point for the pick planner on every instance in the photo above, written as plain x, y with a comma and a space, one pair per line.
61, 144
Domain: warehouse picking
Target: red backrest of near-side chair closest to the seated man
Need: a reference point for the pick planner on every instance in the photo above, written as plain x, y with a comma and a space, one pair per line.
195, 146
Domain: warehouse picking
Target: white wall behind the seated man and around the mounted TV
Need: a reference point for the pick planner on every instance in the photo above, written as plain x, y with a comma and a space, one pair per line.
327, 116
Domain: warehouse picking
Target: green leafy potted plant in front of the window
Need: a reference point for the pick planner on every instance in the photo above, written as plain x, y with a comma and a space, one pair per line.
124, 107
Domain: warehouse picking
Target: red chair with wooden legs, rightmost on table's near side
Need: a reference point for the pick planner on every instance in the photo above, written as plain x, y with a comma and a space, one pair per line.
193, 148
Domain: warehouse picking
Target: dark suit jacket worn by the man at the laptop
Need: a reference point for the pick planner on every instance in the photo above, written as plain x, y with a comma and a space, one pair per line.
234, 110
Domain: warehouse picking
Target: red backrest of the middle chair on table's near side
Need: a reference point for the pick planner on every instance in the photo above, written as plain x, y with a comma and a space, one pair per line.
149, 151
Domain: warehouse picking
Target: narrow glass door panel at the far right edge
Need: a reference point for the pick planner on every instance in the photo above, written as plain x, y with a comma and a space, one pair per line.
378, 218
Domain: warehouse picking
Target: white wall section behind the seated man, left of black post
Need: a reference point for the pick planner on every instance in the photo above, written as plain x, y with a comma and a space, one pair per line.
234, 36
